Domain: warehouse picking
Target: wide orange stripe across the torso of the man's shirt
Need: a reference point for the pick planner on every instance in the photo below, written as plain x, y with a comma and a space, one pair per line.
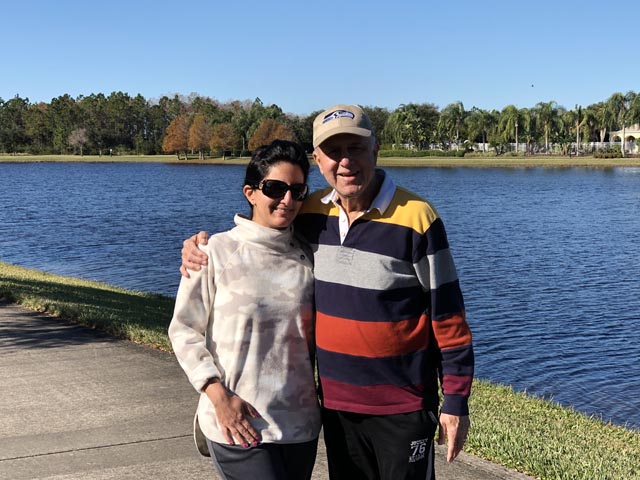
371, 339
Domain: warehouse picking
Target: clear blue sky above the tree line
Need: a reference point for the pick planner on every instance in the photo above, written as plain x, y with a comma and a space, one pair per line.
306, 56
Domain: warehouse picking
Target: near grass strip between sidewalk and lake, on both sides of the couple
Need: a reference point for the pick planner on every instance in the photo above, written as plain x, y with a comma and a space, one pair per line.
527, 434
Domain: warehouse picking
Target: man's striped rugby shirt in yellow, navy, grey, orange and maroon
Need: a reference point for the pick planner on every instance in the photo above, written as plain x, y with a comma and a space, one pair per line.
390, 317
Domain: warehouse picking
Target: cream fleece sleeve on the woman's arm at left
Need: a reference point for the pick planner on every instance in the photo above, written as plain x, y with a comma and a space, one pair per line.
188, 327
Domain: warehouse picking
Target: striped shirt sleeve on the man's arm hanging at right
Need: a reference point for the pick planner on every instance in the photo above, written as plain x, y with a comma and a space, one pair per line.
448, 319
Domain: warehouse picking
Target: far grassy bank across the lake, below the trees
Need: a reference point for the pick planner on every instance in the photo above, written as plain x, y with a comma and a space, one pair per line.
541, 161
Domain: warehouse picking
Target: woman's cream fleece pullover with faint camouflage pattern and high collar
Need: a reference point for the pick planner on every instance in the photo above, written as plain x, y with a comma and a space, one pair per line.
247, 319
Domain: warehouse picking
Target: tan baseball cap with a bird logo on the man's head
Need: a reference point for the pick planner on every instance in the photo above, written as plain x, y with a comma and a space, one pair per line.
341, 119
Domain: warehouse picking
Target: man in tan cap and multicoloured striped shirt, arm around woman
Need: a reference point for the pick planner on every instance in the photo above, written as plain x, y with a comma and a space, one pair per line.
390, 318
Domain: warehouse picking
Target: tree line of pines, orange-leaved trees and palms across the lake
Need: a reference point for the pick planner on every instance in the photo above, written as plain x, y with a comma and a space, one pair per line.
121, 124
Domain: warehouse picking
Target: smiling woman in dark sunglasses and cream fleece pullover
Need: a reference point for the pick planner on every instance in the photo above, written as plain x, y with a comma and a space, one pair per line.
242, 330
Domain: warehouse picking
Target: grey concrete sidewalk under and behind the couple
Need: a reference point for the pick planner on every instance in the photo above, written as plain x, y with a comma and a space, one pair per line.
77, 404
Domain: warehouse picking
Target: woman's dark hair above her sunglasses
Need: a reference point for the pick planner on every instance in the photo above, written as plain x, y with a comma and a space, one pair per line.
268, 155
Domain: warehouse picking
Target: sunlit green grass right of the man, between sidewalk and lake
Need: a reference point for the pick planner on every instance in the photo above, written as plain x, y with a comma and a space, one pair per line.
545, 440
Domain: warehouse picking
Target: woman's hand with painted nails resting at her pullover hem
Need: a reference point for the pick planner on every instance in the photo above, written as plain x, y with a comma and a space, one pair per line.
232, 414
